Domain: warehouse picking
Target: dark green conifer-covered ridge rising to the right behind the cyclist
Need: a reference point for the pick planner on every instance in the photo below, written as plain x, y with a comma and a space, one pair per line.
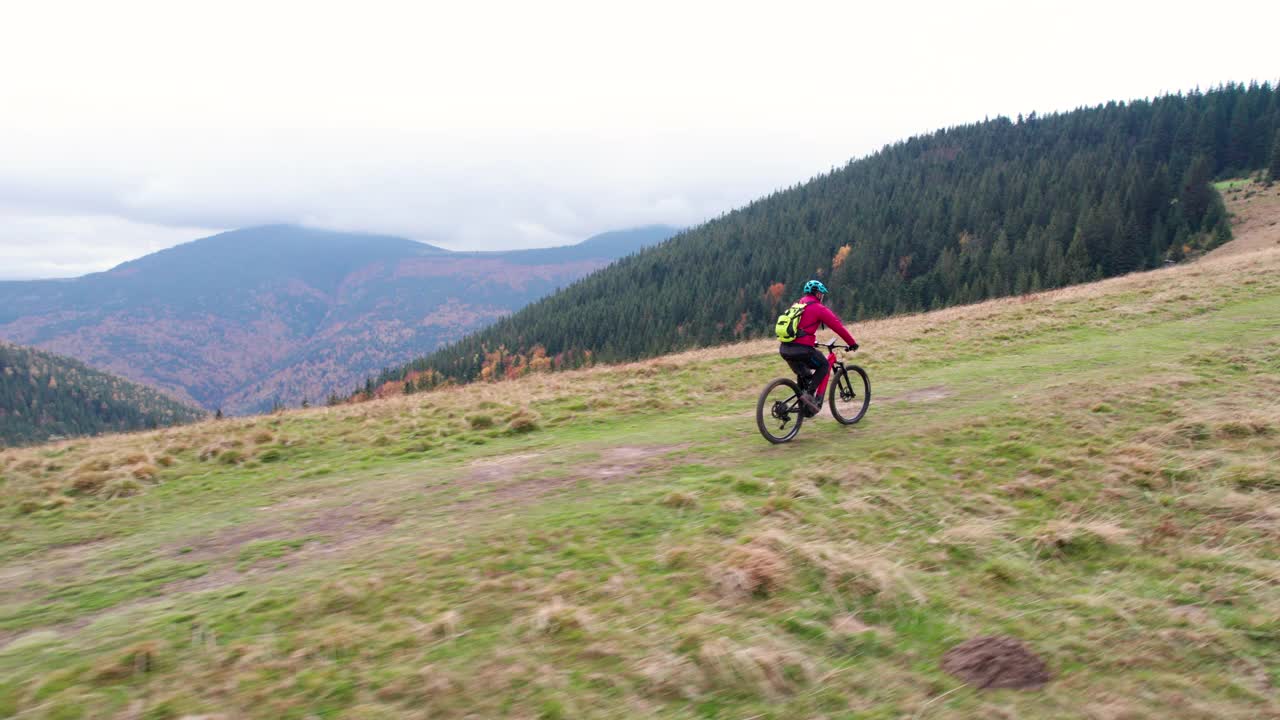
982, 211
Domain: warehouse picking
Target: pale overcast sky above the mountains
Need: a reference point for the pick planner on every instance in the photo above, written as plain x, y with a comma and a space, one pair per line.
127, 127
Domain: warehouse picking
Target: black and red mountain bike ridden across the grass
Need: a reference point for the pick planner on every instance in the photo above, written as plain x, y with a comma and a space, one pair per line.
780, 413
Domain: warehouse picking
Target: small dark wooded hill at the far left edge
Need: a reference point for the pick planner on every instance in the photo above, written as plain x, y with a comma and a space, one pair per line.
45, 397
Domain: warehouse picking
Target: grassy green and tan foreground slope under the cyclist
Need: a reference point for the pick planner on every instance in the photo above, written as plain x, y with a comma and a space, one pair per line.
1092, 471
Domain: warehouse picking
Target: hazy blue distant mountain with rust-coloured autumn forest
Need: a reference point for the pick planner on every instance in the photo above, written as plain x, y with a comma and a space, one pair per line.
271, 315
